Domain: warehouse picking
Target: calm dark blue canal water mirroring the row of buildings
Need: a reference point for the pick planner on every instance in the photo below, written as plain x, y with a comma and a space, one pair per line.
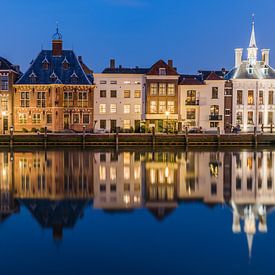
138, 212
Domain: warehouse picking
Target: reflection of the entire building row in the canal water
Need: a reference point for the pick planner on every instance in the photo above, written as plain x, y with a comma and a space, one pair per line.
57, 186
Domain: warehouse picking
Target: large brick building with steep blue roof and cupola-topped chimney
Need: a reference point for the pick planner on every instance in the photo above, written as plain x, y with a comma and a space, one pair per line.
56, 92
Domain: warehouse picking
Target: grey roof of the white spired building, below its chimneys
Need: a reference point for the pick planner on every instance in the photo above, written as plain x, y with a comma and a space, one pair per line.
259, 71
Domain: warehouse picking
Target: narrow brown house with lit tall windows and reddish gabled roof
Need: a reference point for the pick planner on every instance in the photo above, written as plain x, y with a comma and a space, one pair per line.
162, 104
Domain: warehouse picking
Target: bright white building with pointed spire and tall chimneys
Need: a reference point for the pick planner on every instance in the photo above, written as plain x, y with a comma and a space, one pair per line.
253, 88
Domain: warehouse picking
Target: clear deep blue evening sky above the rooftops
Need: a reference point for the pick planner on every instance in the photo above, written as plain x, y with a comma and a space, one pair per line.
196, 34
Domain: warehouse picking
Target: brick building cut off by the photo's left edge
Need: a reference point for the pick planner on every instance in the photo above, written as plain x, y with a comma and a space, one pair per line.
9, 74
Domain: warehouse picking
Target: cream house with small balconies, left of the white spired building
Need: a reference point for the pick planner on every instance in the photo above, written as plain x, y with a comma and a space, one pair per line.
201, 100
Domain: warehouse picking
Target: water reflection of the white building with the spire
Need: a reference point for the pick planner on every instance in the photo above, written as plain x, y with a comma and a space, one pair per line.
253, 191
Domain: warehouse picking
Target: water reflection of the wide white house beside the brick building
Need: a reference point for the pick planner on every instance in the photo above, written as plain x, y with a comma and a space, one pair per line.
117, 181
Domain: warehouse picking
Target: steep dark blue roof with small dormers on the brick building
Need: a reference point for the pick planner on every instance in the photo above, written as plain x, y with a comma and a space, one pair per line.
64, 75
